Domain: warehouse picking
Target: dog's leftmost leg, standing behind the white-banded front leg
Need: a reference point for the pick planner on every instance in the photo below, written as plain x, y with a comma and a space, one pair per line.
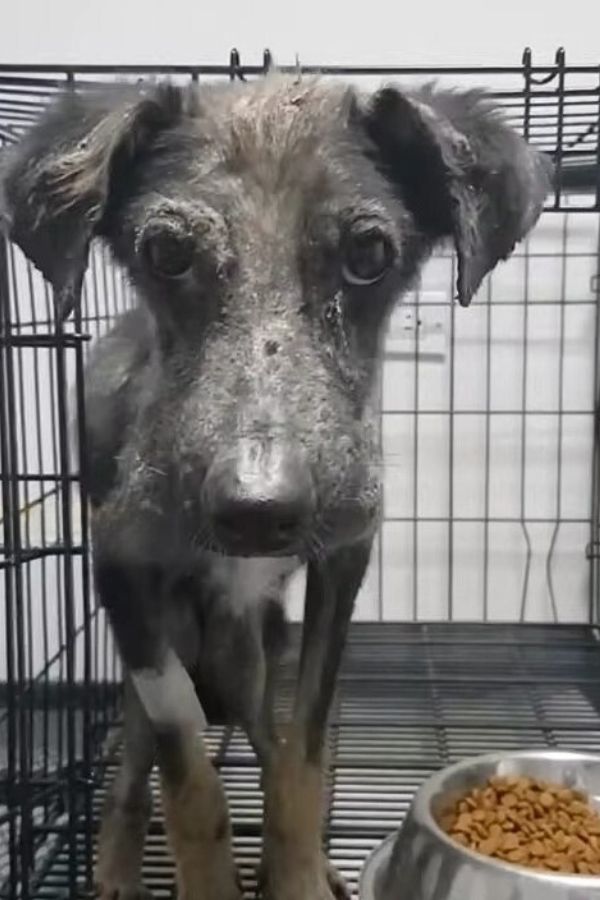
127, 810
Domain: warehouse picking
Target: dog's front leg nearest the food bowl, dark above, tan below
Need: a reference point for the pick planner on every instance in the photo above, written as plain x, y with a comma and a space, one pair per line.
294, 867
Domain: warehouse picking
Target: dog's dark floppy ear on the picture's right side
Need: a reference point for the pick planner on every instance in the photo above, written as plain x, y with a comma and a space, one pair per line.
462, 172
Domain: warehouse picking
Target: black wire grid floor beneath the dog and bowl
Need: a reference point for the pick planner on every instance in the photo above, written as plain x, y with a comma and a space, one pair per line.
411, 698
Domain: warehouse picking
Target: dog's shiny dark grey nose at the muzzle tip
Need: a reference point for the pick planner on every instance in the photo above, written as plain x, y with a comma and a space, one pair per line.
260, 499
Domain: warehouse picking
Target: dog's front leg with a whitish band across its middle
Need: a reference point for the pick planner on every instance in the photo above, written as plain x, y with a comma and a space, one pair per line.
197, 820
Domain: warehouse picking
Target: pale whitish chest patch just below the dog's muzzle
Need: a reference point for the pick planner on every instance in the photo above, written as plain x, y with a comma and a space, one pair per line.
242, 583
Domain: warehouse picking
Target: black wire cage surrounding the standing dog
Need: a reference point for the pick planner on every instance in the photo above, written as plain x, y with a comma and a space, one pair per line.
486, 567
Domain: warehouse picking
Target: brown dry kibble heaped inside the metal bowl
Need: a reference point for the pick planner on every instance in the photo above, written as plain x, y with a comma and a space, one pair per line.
530, 823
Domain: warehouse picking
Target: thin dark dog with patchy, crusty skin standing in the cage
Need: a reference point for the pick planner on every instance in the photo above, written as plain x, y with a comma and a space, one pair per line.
231, 418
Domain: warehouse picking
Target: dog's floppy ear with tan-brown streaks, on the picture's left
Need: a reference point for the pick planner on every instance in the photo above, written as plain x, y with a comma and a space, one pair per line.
58, 183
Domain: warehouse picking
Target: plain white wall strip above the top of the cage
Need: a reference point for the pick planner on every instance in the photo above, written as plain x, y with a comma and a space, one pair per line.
382, 31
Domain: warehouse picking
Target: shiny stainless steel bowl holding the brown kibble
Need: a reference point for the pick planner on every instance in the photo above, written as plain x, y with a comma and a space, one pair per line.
420, 862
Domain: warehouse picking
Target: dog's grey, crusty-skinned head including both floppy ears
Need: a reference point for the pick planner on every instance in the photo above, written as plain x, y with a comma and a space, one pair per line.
269, 228
